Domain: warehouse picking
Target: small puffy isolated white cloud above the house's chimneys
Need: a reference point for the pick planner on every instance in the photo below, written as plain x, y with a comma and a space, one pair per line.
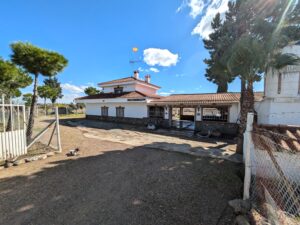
160, 57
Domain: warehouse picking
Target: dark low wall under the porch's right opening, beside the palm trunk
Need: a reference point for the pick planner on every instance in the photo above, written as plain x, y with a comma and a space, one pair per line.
223, 127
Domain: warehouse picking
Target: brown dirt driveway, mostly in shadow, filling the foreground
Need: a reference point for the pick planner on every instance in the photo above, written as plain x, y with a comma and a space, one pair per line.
114, 183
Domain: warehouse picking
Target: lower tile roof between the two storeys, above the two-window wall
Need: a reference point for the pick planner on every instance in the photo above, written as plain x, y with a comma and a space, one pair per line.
133, 94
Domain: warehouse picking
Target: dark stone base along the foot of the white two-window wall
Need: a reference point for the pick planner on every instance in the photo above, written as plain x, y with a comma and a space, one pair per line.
159, 122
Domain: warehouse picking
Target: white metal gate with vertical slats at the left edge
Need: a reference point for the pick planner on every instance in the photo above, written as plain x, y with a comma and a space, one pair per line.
12, 130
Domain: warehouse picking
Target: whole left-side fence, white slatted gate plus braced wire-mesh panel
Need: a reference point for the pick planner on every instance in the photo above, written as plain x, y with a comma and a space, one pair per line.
14, 121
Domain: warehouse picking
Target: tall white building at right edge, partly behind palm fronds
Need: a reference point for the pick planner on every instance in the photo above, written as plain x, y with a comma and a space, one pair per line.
281, 102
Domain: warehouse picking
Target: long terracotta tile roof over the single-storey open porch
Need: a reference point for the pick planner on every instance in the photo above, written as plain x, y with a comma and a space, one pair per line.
204, 98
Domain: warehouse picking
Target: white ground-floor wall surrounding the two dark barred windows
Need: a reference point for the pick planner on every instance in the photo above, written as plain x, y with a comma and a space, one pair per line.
132, 109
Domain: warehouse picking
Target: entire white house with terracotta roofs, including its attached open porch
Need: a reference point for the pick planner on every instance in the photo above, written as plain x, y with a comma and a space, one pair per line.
134, 100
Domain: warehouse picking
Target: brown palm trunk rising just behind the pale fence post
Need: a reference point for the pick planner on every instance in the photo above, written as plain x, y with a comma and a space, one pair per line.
247, 105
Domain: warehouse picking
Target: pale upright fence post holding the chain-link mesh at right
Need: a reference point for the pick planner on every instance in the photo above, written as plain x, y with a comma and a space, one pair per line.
247, 153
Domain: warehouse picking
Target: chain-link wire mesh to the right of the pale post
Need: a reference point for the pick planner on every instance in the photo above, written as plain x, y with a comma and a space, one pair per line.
275, 181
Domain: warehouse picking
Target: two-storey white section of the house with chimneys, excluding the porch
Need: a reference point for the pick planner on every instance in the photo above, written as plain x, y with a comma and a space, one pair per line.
122, 99
